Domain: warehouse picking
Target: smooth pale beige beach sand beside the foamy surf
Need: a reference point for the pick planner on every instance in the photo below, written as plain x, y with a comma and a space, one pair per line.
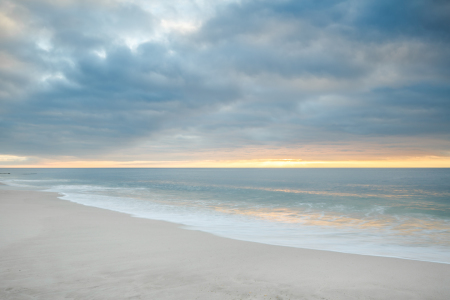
55, 249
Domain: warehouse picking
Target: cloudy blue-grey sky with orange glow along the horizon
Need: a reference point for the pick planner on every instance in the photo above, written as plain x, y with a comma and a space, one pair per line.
224, 83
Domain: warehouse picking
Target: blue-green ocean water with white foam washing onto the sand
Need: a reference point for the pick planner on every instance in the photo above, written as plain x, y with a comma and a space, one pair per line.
401, 213
